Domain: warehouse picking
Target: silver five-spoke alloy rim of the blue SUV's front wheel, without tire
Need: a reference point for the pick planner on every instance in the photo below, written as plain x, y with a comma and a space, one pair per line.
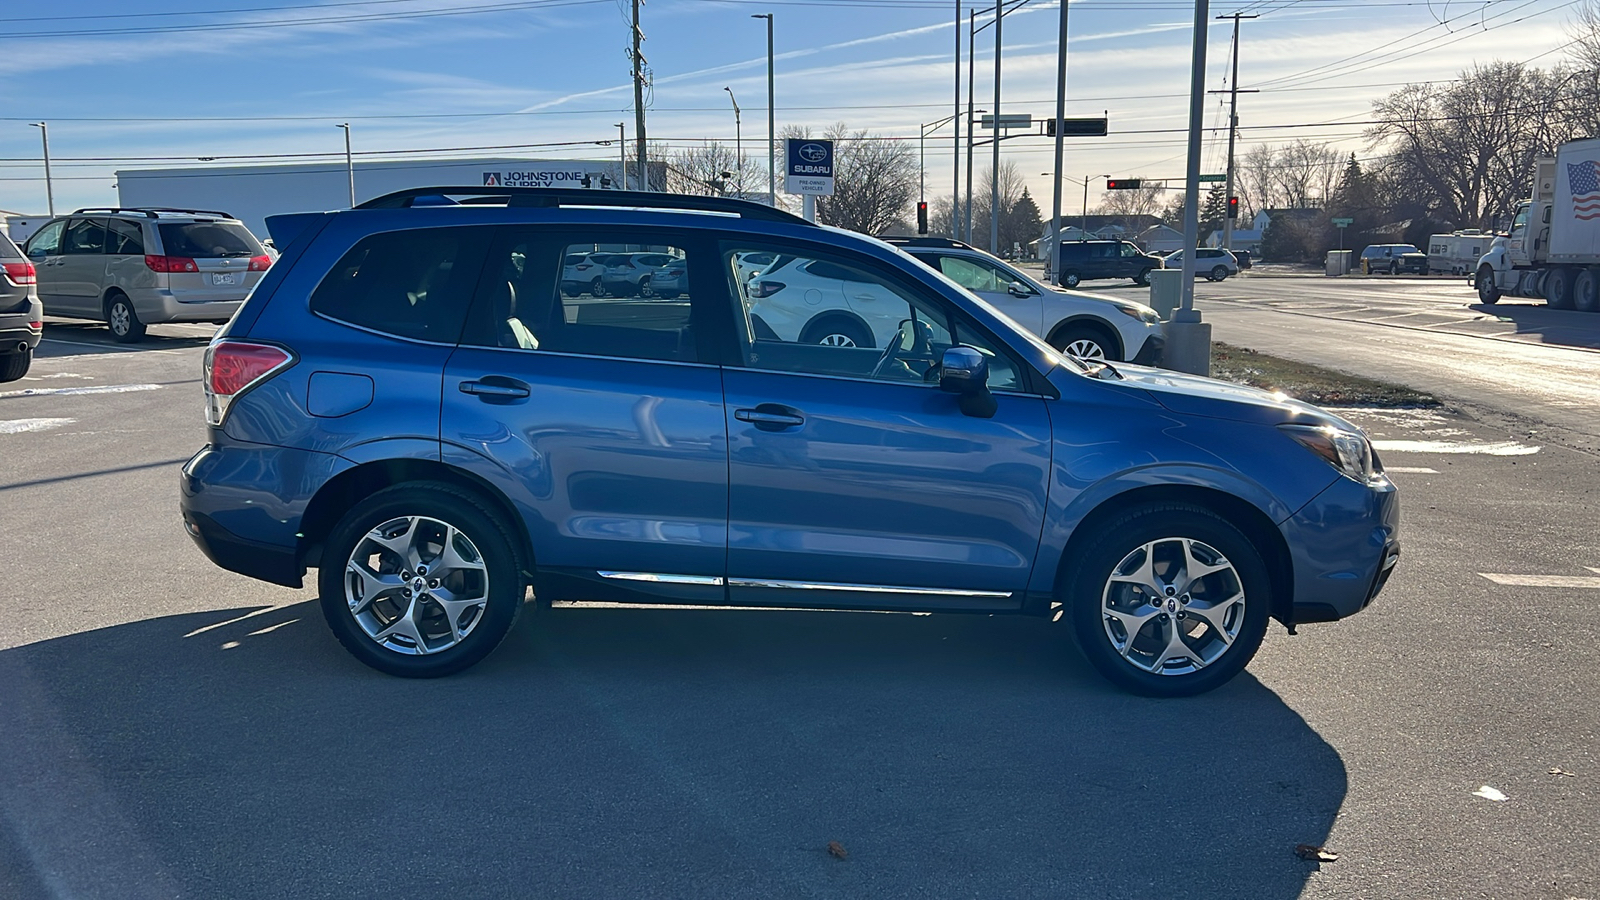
1174, 606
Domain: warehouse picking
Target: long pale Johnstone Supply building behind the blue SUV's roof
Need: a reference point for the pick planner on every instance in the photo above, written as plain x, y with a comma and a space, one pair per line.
258, 191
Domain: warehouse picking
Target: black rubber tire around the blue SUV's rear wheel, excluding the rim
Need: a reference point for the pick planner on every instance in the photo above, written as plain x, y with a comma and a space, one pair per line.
487, 534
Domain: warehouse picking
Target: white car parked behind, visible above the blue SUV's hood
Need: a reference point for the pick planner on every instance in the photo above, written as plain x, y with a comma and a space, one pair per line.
1082, 324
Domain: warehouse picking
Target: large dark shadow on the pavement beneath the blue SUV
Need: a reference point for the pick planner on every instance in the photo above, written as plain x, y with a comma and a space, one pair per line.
642, 753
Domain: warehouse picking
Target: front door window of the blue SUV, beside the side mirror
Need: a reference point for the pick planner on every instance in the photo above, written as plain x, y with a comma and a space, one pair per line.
822, 316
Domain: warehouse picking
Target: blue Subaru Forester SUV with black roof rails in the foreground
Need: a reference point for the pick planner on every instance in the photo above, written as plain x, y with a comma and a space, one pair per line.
412, 406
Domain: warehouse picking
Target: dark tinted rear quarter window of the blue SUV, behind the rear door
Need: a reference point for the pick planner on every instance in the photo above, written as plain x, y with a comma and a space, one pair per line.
410, 284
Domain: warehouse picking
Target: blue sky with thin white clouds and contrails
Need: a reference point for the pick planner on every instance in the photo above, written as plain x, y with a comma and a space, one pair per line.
500, 73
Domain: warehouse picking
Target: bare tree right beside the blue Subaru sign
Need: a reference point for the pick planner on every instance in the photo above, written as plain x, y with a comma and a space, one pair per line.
874, 180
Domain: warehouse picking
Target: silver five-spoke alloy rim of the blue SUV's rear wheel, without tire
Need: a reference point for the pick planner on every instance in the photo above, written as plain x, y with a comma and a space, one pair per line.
417, 585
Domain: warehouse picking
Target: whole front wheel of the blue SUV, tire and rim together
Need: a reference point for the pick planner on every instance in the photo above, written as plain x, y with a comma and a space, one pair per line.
1170, 600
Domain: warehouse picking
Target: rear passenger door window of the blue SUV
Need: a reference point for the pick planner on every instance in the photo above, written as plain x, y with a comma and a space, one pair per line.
526, 302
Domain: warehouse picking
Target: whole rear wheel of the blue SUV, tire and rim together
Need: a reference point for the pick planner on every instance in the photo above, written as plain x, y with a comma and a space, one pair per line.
420, 581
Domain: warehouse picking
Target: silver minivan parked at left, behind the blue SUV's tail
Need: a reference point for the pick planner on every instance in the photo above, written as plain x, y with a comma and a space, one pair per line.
135, 268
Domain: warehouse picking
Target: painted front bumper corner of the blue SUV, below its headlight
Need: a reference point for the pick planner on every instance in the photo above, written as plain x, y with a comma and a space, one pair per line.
1343, 547
